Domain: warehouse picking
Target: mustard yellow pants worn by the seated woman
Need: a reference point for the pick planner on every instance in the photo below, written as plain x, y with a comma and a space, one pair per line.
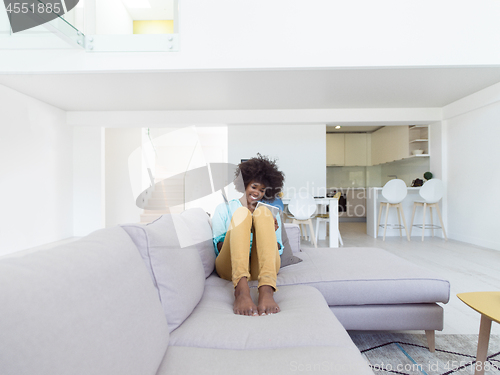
233, 261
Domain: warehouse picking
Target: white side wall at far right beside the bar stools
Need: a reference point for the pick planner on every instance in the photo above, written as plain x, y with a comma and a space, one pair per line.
472, 155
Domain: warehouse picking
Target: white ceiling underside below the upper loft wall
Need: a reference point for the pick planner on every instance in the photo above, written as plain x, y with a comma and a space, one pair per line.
246, 90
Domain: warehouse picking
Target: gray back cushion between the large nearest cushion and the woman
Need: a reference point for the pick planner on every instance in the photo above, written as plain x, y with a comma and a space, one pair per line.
174, 264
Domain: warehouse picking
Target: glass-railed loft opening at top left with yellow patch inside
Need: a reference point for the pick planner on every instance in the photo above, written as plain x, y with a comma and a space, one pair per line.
123, 30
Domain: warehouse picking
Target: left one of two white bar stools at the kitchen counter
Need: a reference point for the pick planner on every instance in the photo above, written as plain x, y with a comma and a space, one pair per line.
394, 192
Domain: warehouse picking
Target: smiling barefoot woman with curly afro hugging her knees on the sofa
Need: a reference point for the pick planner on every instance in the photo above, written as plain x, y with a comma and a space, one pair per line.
247, 239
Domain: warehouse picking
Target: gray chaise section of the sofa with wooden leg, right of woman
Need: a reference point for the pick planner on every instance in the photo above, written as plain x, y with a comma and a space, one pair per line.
370, 289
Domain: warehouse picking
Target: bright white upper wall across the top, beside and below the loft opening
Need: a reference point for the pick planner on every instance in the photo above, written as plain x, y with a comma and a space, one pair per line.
222, 34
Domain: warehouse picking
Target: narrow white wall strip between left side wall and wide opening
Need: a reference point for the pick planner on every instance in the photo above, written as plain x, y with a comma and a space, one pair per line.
88, 180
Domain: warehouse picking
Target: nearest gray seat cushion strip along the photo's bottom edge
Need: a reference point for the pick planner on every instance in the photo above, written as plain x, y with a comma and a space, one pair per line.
302, 360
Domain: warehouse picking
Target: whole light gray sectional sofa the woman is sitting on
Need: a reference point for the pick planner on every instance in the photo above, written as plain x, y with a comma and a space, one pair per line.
144, 300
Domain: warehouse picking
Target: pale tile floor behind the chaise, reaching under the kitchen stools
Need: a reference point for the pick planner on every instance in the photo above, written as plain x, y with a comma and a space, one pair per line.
469, 268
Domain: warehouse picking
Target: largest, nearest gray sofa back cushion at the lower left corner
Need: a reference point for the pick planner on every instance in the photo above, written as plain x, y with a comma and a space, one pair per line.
83, 308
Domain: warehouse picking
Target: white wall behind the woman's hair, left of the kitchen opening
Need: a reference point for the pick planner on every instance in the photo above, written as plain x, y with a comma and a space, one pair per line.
300, 150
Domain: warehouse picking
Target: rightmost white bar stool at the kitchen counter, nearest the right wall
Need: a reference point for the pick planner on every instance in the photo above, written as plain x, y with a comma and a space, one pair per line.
431, 193
